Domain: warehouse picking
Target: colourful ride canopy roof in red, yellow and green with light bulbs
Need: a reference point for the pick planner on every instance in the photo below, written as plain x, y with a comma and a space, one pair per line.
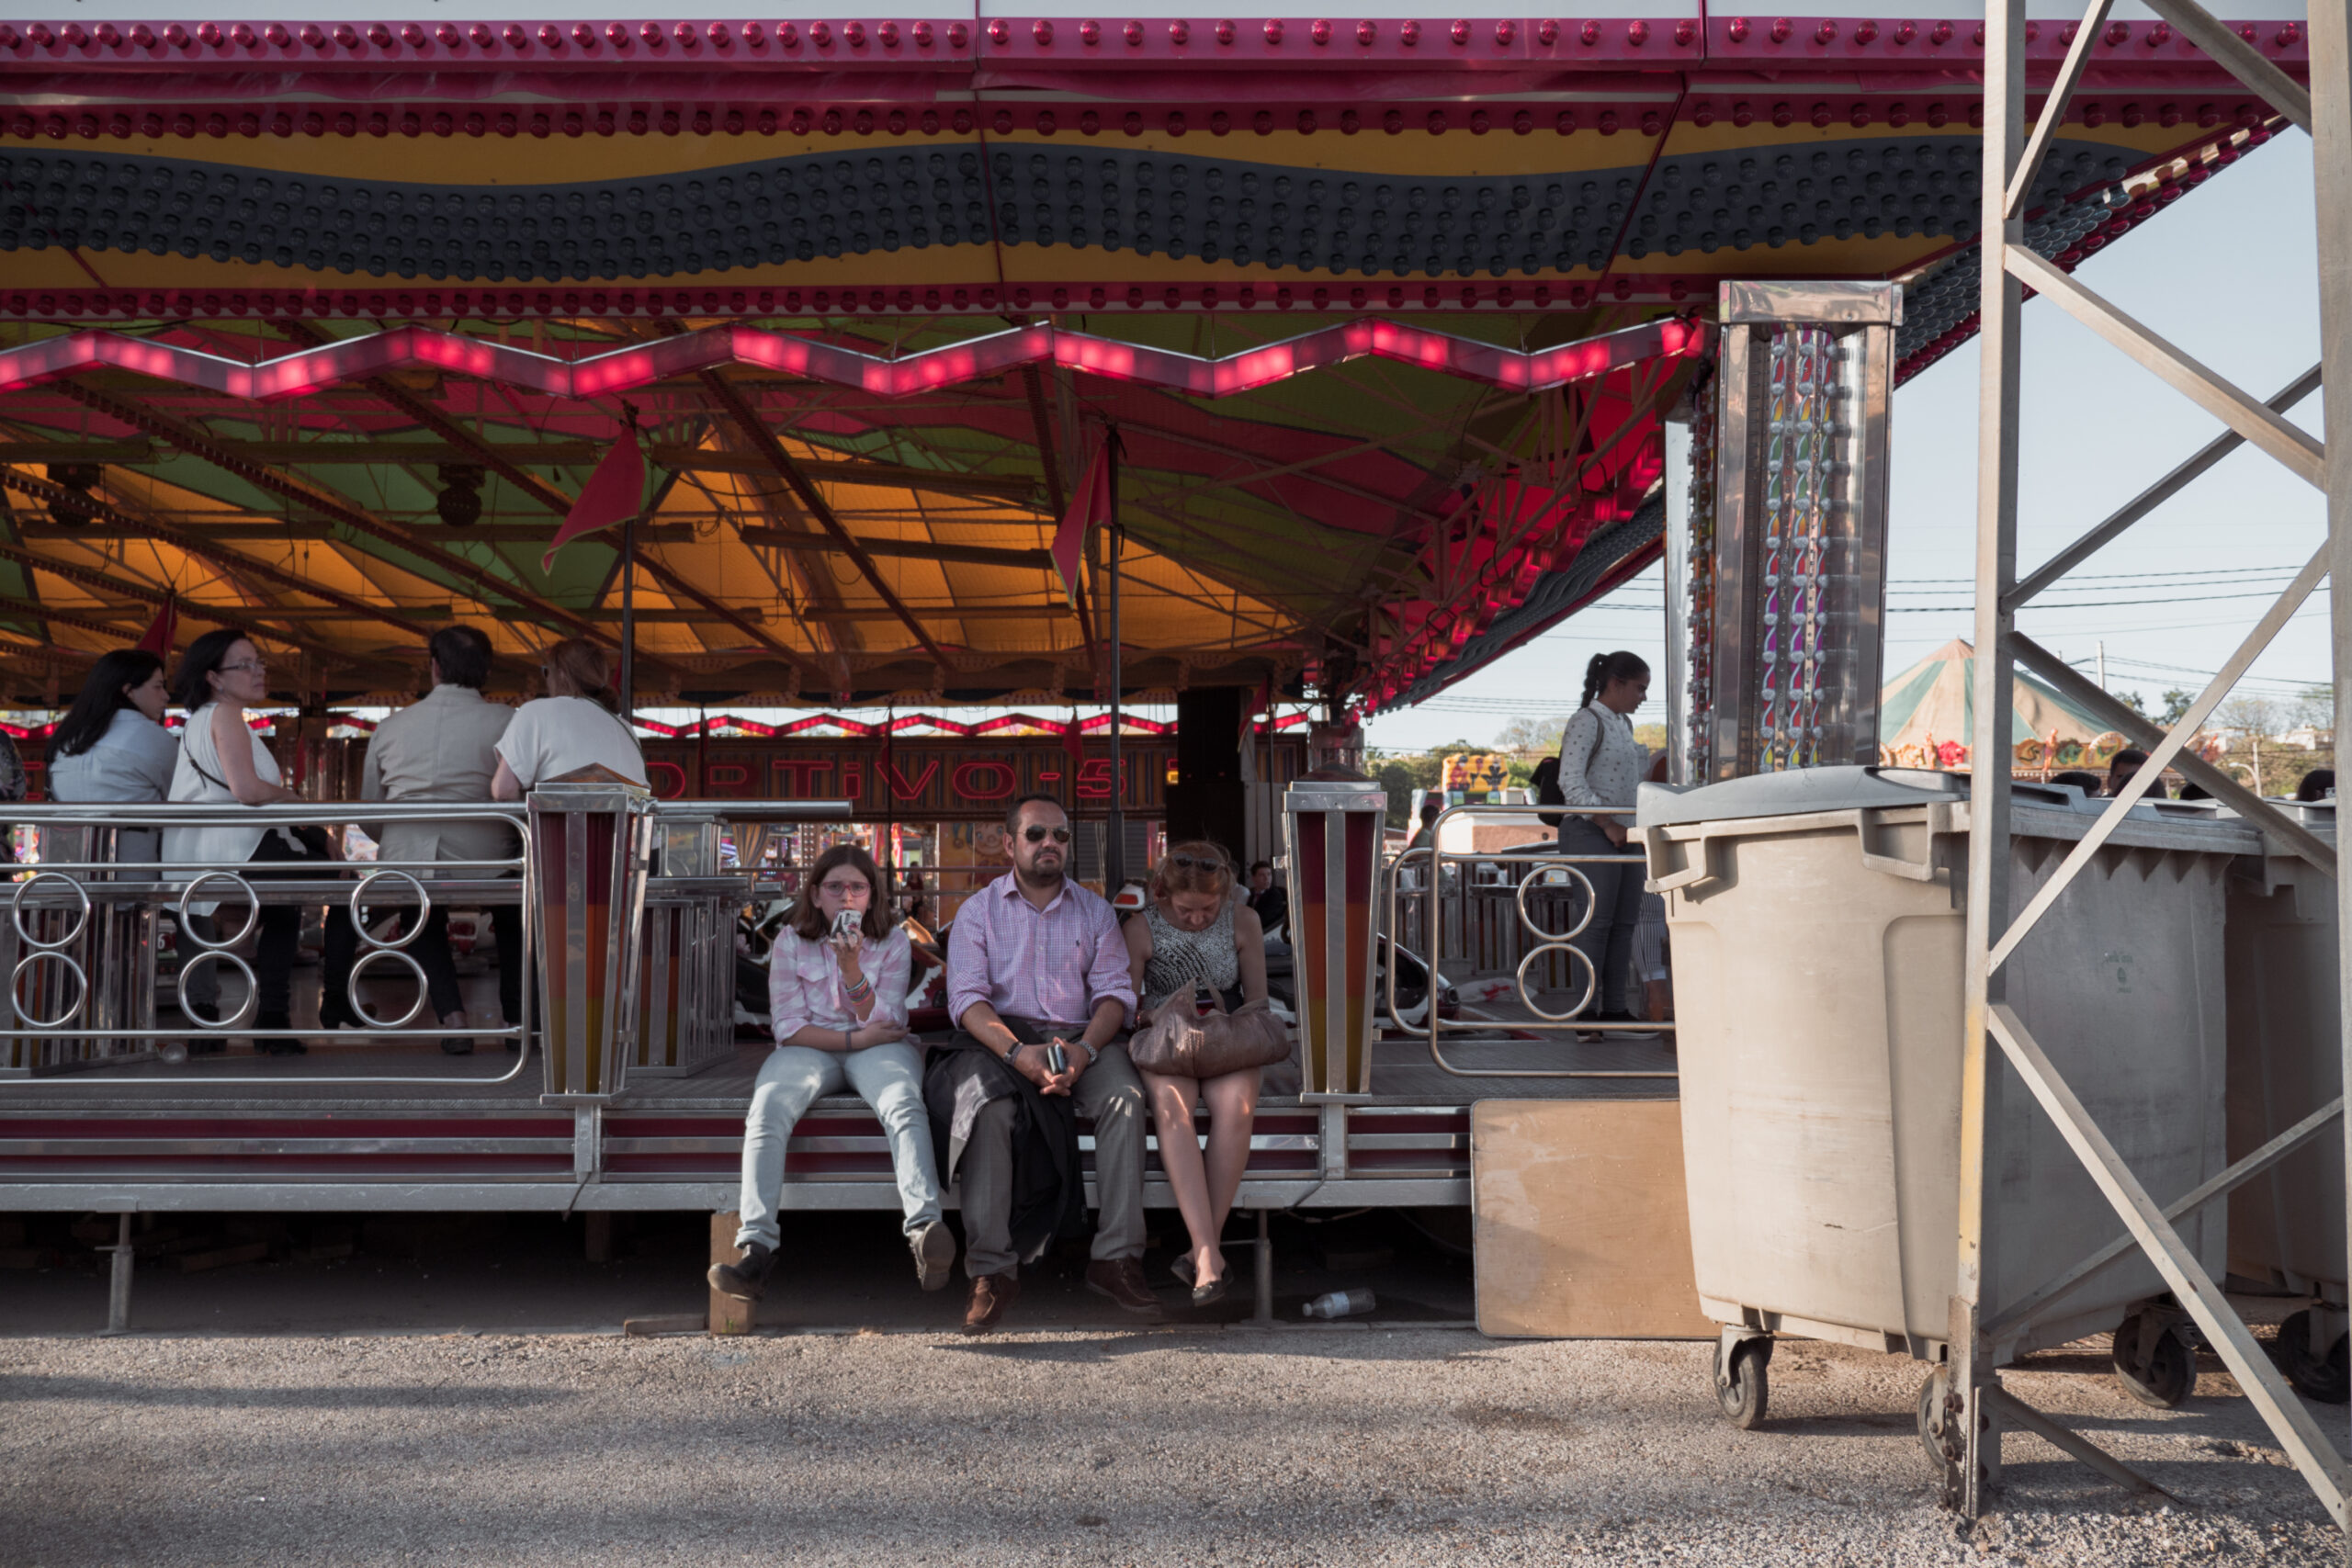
316, 323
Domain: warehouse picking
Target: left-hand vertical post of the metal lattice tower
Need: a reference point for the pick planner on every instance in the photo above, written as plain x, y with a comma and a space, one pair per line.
2000, 302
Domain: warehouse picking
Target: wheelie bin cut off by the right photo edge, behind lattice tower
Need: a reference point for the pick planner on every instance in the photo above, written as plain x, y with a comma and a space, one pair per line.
2287, 1226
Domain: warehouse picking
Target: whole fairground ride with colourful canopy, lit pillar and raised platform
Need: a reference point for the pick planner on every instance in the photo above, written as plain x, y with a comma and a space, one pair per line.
956, 401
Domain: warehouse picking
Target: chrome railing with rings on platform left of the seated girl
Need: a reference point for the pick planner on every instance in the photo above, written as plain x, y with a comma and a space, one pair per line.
81, 937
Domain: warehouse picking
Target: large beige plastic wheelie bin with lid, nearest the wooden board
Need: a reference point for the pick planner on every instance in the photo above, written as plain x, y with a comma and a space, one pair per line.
1819, 925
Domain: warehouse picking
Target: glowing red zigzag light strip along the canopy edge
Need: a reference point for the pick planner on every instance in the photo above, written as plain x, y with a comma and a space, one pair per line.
622, 370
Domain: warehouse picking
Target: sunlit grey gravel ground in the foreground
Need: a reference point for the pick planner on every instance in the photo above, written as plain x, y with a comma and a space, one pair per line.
1187, 1447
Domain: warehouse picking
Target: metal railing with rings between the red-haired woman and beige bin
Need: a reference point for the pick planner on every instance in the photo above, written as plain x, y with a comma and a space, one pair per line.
1558, 883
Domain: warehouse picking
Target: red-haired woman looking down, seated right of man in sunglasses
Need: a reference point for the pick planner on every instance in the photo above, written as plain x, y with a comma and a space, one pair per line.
1191, 932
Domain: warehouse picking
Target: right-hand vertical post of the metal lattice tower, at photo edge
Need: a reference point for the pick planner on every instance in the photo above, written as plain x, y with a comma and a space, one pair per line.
2332, 180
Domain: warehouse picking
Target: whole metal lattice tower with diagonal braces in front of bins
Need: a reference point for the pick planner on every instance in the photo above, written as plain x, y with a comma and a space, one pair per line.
1977, 1407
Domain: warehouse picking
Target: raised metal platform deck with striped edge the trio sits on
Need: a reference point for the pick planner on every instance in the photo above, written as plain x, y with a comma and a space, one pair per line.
283, 1134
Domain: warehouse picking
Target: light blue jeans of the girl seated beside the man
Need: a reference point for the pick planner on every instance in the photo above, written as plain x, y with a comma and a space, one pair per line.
791, 1080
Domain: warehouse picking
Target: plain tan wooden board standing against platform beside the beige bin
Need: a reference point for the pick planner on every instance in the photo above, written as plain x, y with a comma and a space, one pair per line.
1579, 1219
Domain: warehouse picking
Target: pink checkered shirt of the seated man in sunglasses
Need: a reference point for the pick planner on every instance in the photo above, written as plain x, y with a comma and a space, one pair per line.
1027, 963
